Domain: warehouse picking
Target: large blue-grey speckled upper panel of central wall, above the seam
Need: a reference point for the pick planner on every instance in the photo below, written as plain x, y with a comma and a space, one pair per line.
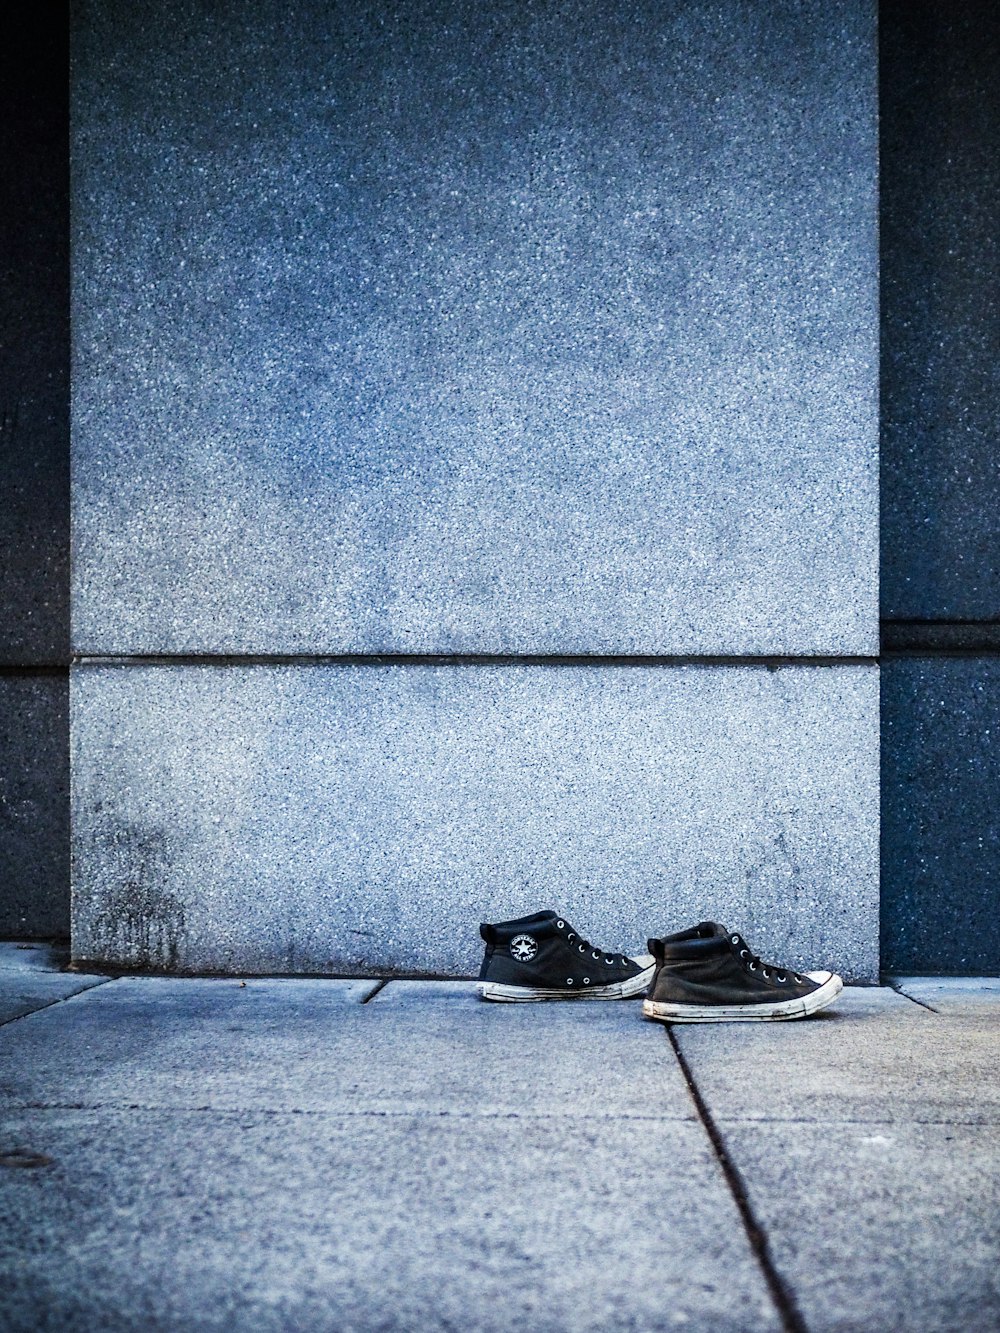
461, 329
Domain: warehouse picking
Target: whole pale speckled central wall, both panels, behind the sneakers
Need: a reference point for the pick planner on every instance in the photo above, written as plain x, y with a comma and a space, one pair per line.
522, 331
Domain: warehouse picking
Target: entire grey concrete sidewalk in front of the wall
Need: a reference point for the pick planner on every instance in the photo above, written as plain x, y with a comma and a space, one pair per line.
322, 1155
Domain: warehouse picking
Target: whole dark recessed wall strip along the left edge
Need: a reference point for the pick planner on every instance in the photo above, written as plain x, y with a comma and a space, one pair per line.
35, 471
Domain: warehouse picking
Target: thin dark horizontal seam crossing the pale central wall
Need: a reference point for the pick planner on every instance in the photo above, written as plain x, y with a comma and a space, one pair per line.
769, 662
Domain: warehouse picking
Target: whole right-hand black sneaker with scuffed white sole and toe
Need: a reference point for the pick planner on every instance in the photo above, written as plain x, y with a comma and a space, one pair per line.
709, 975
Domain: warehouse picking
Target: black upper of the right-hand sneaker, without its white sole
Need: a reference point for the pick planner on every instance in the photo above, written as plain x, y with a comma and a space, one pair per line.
710, 966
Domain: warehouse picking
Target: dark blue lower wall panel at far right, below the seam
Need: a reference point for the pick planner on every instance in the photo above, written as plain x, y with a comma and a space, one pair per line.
941, 815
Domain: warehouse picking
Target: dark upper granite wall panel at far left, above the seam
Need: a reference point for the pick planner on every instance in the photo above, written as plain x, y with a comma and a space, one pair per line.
34, 343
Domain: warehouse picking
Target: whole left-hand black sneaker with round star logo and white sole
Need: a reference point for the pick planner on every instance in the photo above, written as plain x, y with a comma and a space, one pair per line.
542, 958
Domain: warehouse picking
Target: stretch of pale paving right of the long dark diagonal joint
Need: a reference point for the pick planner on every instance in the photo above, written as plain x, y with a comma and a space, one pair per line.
867, 1140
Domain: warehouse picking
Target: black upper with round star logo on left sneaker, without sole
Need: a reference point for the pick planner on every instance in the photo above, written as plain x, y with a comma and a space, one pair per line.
546, 951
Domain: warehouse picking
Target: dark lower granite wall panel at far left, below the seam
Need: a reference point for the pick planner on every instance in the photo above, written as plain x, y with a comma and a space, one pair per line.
34, 804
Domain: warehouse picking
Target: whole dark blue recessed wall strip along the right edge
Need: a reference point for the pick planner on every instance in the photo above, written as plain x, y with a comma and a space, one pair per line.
941, 201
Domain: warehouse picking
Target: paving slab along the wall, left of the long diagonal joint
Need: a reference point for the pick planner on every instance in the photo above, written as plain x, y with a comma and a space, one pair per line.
313, 1046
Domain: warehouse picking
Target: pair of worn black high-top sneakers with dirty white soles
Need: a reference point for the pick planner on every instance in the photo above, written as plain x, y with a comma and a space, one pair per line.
703, 975
